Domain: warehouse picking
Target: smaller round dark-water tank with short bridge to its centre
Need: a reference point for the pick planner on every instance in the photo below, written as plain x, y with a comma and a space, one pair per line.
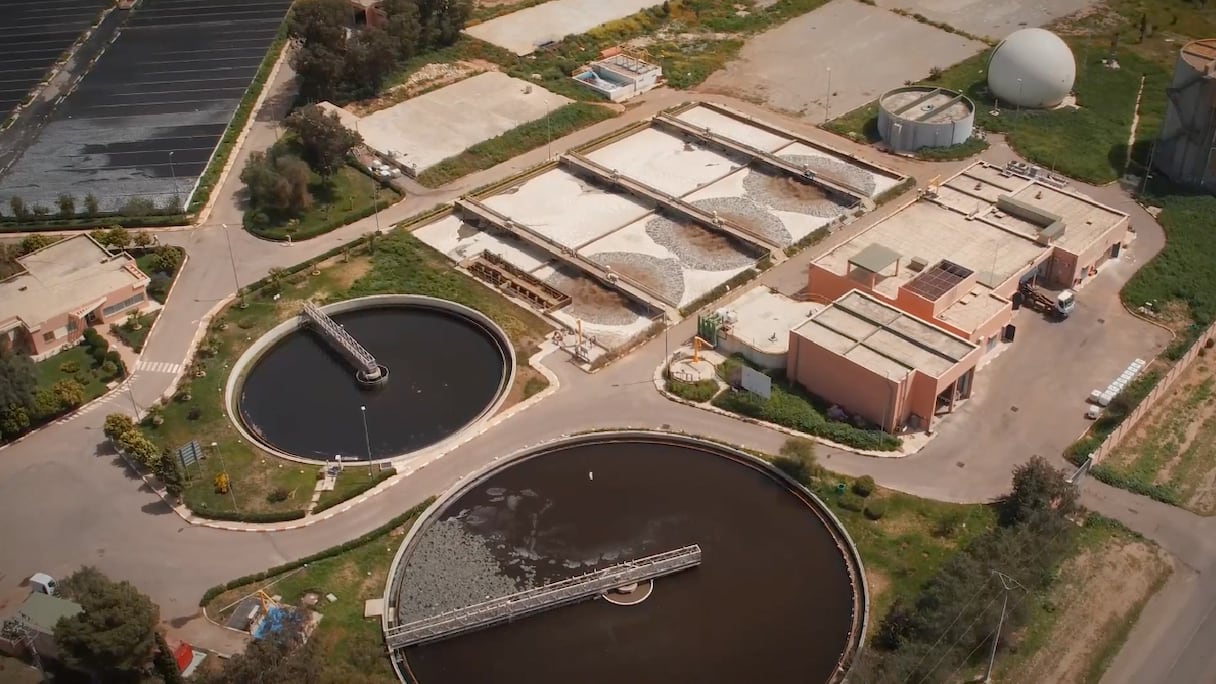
446, 367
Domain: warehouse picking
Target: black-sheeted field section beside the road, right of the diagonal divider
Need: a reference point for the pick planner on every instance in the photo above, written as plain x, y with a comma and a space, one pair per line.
145, 121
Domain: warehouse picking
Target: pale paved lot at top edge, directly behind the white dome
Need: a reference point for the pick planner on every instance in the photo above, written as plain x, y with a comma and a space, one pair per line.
993, 19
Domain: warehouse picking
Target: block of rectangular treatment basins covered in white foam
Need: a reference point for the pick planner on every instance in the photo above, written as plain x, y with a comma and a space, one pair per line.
651, 221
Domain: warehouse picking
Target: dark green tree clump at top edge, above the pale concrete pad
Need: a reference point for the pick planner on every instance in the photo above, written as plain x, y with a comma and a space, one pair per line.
336, 65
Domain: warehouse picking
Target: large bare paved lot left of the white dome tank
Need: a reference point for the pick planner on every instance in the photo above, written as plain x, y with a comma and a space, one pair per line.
863, 51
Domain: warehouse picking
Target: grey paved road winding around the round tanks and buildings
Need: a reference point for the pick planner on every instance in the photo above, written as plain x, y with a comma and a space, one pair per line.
71, 502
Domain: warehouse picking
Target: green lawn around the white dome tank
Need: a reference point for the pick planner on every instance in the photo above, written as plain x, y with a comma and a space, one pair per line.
1089, 143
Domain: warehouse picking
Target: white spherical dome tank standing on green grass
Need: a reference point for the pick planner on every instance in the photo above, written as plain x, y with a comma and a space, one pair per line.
1032, 69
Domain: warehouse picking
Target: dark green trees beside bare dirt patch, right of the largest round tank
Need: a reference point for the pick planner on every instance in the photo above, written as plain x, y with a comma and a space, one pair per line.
956, 615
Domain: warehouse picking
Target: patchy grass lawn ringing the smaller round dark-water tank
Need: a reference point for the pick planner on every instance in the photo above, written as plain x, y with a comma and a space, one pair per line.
402, 265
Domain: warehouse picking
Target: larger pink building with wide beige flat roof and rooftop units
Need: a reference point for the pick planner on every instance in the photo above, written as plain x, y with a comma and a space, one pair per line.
956, 255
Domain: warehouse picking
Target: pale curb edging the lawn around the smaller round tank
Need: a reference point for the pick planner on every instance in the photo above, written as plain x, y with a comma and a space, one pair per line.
189, 517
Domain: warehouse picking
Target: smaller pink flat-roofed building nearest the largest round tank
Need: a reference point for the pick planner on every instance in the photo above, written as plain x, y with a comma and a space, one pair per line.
877, 362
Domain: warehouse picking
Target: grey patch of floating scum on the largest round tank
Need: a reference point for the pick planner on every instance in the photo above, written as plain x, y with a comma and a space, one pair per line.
452, 569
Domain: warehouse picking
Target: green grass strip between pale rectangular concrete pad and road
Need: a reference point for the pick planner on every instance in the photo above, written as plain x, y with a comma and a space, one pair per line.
523, 138
